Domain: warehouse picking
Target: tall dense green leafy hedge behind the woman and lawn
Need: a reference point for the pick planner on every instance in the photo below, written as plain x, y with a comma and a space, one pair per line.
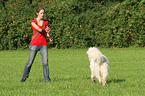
75, 23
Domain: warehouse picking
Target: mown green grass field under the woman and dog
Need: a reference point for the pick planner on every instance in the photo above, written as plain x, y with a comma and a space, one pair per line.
70, 74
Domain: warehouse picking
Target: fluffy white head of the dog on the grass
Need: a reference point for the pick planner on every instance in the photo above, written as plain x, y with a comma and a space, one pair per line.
93, 53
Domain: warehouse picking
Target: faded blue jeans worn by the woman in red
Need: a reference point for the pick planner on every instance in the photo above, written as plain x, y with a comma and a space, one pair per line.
44, 53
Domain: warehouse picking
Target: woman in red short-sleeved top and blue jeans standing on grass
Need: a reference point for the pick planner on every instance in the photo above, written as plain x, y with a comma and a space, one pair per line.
38, 43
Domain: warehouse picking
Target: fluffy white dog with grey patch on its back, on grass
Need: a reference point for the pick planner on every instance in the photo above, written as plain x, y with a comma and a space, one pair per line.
99, 65
